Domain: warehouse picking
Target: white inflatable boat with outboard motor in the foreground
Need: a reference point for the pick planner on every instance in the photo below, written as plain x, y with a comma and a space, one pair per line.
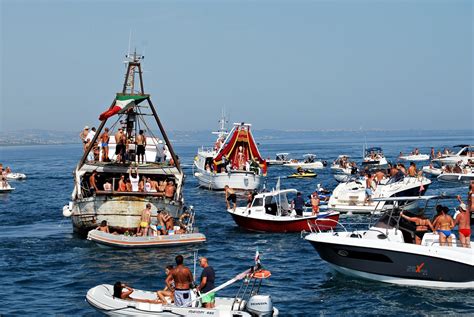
246, 303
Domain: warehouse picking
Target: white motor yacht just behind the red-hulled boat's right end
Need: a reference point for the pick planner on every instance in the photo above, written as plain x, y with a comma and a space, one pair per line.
350, 197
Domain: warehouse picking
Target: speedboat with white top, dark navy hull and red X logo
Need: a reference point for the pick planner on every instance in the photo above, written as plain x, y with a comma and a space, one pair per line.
386, 252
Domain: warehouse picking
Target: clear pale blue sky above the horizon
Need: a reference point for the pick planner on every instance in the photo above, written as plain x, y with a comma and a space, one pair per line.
289, 65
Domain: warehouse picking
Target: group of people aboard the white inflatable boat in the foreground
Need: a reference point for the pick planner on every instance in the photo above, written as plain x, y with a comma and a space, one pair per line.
179, 283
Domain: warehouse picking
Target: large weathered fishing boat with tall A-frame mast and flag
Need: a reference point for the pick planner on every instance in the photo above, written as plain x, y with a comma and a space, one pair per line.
119, 203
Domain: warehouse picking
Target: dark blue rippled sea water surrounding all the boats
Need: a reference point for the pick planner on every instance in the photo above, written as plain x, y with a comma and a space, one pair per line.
46, 269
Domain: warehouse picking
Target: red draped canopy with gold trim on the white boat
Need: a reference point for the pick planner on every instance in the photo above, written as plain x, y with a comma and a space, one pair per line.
240, 146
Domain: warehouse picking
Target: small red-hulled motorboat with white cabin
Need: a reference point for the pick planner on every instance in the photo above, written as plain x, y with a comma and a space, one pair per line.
271, 212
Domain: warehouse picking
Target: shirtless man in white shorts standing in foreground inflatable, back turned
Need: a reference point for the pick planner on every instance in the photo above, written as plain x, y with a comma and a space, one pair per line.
182, 279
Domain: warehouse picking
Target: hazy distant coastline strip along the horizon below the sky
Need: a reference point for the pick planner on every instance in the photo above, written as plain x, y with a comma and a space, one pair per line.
51, 137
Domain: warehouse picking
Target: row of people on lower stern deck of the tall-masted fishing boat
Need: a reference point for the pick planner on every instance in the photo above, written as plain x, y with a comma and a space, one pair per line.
133, 183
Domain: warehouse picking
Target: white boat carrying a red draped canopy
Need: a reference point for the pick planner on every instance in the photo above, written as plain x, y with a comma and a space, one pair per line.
234, 161
